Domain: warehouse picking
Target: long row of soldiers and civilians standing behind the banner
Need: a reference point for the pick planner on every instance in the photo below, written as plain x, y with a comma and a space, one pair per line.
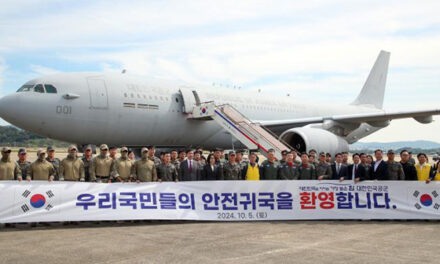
191, 165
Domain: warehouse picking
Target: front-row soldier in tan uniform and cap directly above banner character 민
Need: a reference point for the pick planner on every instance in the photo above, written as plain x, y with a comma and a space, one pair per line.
144, 170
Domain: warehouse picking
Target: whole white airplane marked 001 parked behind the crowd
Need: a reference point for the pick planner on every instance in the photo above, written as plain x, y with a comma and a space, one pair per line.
127, 110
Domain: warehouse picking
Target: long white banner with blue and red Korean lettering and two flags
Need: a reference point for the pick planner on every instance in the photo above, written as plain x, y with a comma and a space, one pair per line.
218, 200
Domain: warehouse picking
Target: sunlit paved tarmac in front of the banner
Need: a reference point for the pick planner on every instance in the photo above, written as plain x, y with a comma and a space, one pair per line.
215, 242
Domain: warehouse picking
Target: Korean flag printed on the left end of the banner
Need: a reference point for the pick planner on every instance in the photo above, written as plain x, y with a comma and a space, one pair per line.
36, 199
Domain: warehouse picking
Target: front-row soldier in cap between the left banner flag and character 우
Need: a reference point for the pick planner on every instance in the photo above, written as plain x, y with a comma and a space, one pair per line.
72, 168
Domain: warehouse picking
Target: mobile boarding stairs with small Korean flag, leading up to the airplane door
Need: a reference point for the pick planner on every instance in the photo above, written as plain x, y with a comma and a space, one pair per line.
251, 134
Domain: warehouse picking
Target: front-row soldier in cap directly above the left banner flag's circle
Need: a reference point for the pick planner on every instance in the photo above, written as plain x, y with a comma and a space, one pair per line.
41, 169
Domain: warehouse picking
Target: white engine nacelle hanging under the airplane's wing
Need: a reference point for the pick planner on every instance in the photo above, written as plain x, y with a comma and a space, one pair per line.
304, 139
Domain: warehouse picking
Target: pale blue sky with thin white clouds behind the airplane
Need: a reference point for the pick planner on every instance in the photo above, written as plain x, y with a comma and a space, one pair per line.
320, 51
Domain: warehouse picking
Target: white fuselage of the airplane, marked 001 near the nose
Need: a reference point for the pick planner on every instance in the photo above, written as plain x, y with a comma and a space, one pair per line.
133, 111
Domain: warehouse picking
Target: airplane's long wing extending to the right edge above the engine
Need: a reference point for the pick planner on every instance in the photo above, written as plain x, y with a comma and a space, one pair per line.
422, 116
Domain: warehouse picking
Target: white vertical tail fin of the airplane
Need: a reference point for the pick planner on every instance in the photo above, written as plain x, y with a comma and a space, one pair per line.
374, 88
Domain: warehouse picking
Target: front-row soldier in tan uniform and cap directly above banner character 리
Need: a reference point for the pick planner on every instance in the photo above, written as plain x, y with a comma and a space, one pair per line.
102, 166
